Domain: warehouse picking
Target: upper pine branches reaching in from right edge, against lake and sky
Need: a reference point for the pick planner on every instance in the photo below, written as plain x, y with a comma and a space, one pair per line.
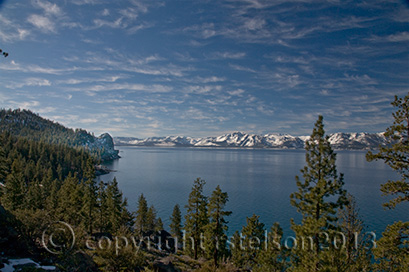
396, 154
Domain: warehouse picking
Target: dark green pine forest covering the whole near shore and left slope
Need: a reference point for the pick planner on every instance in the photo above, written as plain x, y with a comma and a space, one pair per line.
53, 211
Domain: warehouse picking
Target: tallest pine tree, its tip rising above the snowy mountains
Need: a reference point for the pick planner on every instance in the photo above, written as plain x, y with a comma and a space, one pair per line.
319, 196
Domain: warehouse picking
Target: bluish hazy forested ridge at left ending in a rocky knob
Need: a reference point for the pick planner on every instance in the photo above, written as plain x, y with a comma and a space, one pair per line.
24, 123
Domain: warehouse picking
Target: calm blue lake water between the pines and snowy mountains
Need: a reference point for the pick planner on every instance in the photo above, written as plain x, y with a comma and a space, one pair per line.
258, 181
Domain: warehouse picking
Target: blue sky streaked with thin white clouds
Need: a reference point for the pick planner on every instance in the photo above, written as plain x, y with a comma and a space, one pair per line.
205, 68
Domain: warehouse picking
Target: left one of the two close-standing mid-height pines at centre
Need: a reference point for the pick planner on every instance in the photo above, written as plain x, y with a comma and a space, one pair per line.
196, 218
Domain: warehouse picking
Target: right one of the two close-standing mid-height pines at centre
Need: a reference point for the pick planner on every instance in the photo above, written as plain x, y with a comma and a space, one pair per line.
216, 229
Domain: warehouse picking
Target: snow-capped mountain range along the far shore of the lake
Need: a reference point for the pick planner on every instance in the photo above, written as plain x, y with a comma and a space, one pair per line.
273, 140
